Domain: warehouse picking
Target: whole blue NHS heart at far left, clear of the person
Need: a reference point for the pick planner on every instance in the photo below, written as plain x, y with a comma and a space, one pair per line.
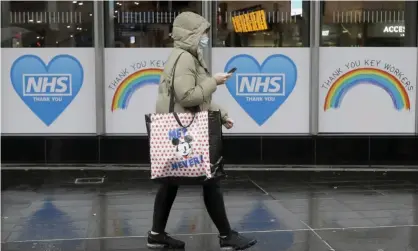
47, 89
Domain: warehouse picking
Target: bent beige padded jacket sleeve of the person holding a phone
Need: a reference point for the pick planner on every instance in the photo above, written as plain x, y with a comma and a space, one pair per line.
188, 93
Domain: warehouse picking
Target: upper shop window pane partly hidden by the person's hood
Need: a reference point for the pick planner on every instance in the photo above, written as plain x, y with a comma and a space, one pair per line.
143, 23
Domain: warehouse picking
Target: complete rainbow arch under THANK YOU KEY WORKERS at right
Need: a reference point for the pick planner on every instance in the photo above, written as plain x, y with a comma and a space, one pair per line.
372, 76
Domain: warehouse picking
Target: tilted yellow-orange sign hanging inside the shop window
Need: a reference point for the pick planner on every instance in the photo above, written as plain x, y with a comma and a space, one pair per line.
250, 22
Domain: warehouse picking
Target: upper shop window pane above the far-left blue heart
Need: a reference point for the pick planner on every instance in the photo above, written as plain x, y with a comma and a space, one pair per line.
46, 24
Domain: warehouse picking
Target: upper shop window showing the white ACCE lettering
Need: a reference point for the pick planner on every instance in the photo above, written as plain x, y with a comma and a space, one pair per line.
368, 23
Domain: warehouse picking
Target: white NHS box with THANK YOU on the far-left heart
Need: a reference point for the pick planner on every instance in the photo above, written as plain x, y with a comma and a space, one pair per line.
47, 85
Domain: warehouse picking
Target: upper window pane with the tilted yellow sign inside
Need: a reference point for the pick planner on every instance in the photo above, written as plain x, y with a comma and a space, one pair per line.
261, 24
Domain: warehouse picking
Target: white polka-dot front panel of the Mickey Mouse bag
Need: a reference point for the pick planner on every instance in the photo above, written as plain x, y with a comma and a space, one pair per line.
185, 156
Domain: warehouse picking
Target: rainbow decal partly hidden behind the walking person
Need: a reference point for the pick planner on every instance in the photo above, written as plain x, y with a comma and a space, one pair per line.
132, 83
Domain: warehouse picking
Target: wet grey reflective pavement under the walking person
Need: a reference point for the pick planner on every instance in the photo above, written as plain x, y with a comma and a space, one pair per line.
285, 211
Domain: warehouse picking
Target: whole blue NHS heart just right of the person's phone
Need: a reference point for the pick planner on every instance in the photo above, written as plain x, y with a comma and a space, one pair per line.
261, 89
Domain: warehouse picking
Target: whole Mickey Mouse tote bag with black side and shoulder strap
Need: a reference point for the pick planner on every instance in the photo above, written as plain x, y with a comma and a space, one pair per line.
185, 147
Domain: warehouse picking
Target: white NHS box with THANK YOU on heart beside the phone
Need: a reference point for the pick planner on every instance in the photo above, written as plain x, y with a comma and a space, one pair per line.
254, 86
